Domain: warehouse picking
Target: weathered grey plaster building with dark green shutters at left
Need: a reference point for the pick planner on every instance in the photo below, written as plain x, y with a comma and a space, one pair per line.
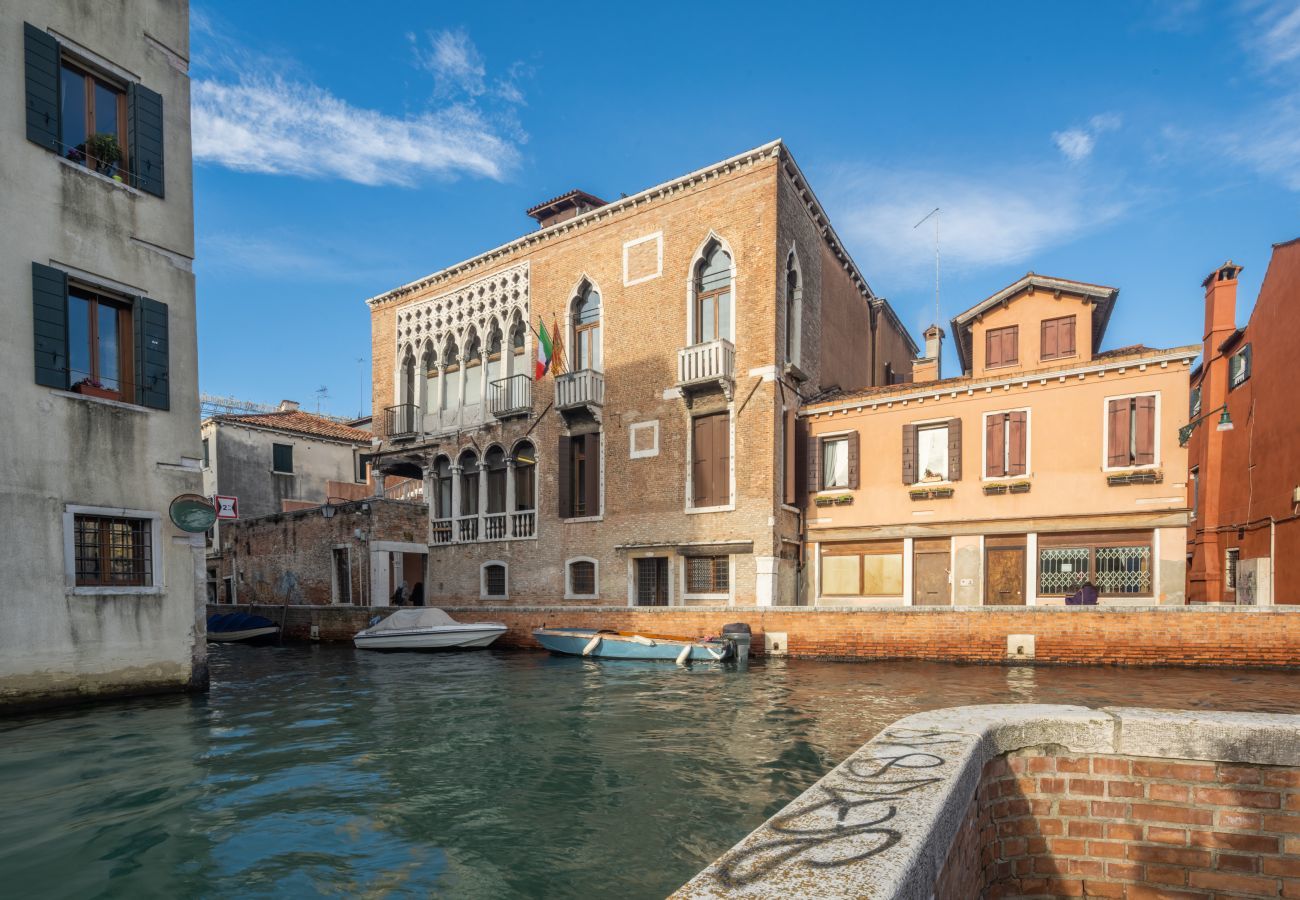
99, 592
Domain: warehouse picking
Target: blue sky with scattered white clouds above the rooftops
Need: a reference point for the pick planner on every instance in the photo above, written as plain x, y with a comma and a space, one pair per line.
1137, 145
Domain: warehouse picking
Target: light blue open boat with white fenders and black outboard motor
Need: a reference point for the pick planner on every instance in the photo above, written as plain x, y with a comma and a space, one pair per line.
609, 644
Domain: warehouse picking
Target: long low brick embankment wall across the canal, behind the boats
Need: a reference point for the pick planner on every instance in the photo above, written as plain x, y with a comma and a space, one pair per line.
1155, 637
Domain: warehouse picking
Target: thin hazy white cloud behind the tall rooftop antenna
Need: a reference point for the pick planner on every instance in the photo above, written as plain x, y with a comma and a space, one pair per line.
1004, 218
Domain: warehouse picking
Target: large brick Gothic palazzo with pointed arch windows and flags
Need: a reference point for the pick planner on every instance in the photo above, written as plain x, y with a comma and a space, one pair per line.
656, 461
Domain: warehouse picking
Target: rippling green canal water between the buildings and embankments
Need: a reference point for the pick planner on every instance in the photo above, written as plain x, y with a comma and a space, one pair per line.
324, 772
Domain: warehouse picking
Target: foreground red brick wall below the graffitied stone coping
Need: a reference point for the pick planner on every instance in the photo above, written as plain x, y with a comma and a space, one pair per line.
1113, 827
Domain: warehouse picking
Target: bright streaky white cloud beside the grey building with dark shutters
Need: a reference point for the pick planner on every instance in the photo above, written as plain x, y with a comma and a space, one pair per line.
279, 127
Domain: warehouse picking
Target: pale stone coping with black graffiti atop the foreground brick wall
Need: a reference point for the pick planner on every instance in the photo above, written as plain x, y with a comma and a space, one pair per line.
882, 824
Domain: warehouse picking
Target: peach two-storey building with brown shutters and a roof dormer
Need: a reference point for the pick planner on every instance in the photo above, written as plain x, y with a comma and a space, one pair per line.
1047, 462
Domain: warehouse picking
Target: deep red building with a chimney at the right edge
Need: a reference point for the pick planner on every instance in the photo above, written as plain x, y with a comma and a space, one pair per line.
1245, 444
